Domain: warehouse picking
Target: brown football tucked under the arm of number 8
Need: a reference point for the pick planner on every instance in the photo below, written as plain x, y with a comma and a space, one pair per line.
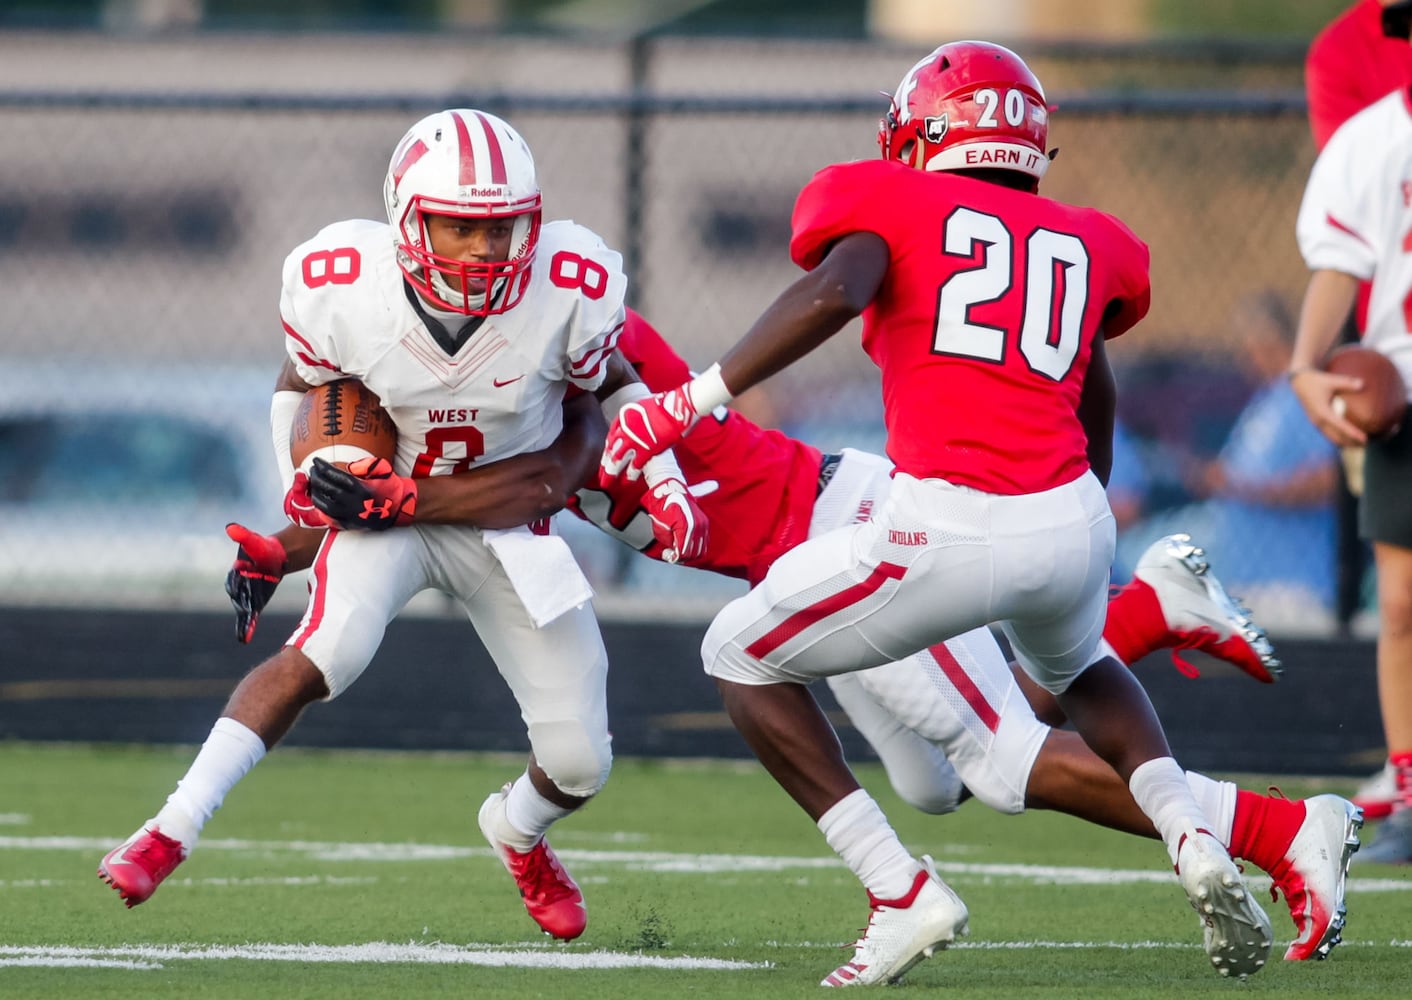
341, 422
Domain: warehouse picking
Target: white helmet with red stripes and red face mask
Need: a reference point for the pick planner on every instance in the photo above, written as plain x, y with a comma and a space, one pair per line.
464, 163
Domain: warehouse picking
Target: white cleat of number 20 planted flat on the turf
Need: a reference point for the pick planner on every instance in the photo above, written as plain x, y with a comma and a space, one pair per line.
903, 933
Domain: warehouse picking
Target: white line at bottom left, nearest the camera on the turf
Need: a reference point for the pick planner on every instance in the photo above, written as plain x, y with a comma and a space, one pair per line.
153, 957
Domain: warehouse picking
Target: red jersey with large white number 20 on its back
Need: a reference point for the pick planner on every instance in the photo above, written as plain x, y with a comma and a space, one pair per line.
985, 323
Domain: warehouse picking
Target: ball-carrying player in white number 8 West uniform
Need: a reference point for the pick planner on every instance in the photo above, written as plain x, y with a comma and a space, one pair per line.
471, 320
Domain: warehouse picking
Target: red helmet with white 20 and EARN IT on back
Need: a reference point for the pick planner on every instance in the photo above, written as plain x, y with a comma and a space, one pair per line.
969, 105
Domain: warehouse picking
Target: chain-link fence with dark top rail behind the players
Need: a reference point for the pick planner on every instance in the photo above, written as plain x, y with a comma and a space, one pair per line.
142, 235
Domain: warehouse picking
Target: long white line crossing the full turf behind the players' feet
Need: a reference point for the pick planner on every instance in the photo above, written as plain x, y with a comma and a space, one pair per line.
660, 861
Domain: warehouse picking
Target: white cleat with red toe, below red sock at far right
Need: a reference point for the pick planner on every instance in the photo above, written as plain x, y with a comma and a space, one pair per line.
1314, 872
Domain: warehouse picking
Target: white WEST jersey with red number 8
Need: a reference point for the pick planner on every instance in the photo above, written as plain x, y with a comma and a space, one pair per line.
347, 313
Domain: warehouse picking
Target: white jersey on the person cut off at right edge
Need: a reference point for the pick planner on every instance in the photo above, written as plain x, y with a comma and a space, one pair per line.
1356, 218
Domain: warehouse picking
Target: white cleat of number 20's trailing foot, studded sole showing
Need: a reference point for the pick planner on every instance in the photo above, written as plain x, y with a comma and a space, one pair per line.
1238, 933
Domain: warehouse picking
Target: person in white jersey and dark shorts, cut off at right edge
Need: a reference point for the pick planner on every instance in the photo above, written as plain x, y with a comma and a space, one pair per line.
1353, 227
